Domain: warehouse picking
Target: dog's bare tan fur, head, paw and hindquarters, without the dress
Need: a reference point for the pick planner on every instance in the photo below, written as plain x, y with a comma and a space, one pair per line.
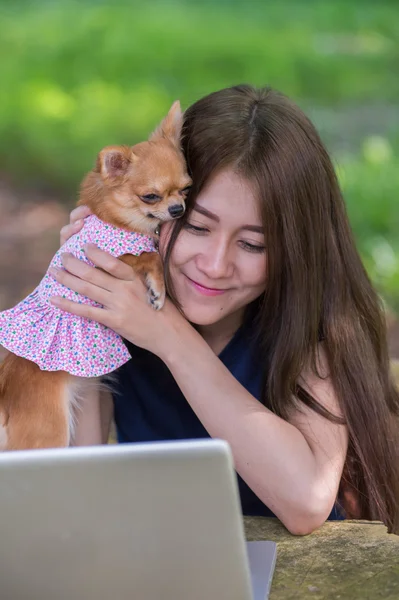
37, 407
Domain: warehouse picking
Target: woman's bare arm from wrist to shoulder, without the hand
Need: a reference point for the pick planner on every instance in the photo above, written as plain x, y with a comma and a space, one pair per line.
293, 467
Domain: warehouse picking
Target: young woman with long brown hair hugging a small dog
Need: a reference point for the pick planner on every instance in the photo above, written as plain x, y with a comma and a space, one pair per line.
278, 345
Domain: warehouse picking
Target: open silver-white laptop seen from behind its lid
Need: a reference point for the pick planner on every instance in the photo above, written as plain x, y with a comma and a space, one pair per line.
154, 521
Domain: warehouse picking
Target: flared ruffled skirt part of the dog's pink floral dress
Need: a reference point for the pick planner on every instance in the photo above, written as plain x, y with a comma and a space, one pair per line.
58, 341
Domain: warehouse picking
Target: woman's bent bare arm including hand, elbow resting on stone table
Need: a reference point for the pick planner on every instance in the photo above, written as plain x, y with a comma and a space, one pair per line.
294, 467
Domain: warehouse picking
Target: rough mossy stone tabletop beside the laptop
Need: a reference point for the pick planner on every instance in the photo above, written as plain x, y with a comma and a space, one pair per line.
343, 560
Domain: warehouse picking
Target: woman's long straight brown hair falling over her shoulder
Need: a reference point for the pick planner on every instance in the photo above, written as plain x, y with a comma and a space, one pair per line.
317, 287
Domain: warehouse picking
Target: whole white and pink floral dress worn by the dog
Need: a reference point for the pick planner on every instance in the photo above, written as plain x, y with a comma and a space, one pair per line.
59, 341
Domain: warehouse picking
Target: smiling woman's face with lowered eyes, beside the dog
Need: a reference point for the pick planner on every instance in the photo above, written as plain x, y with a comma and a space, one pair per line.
218, 263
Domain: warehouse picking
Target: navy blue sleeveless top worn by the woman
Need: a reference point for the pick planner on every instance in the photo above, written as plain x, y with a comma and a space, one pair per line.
149, 405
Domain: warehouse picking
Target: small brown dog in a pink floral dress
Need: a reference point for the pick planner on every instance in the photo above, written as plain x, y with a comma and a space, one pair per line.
53, 356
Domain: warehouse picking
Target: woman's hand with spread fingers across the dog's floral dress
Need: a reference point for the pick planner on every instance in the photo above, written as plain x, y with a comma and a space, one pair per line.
123, 297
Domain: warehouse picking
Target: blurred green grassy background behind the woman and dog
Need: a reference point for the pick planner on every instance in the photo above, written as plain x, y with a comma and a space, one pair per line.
78, 75
